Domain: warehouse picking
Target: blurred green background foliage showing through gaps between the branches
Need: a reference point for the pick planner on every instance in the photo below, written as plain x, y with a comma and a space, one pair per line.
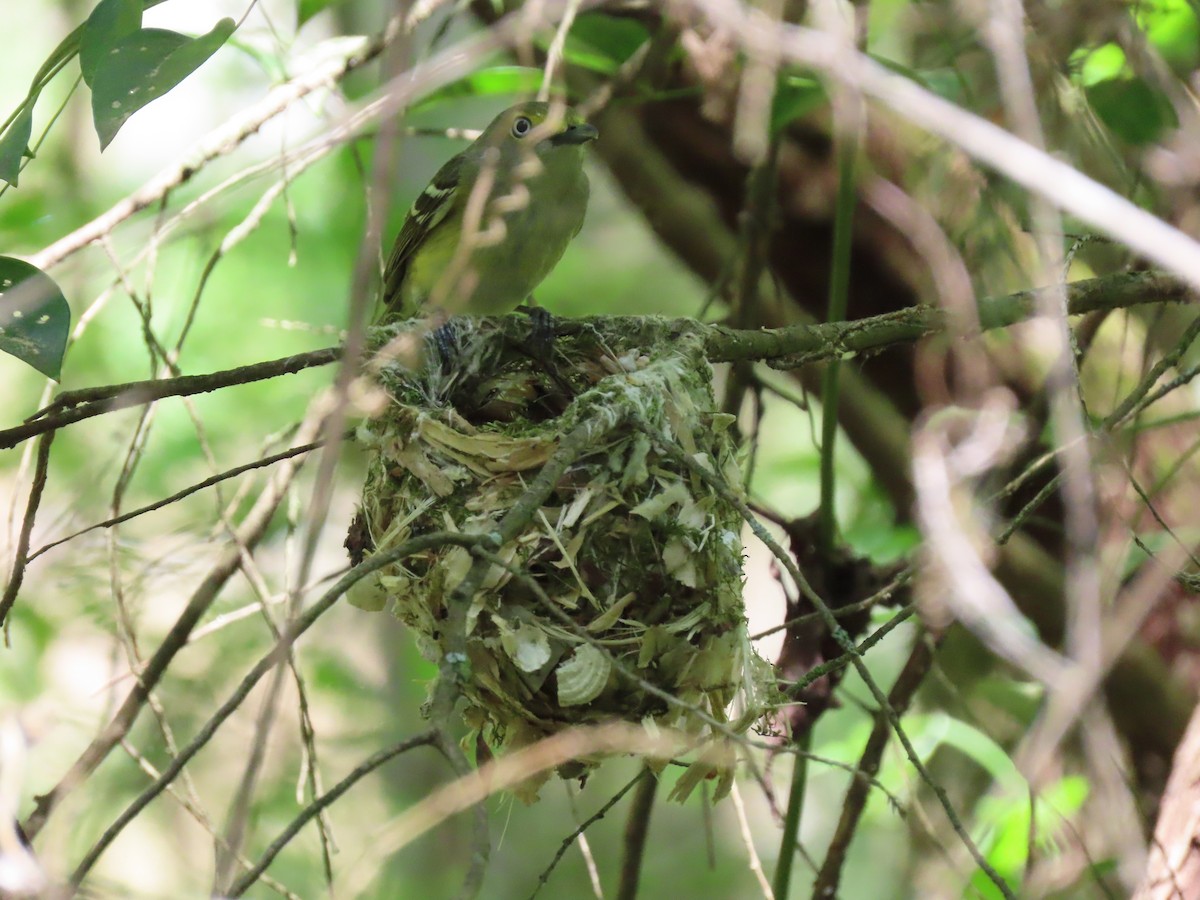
1112, 81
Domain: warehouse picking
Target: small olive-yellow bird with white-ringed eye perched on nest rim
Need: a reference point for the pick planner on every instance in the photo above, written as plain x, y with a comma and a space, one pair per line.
496, 219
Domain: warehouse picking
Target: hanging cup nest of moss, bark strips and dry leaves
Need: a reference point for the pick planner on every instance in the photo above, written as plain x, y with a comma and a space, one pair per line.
640, 560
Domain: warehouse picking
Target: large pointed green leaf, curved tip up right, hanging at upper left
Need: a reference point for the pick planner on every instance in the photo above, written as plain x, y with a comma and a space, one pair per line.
145, 67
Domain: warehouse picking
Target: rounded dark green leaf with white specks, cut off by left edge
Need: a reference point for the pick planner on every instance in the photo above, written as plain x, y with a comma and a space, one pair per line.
34, 317
